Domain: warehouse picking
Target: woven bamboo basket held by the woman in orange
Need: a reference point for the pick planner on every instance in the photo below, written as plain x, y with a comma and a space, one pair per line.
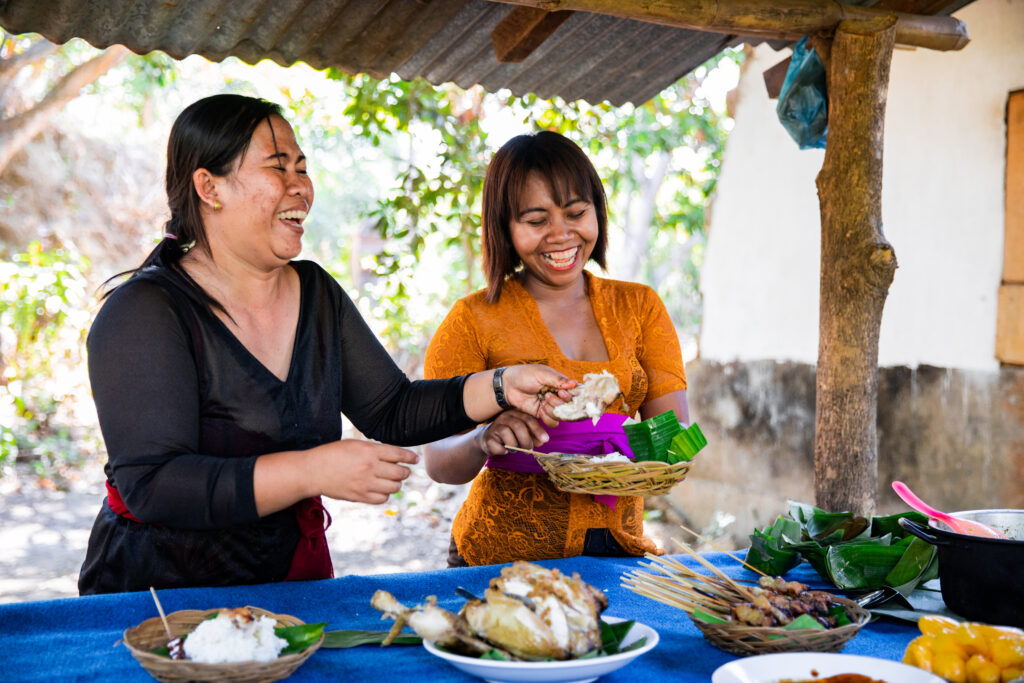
579, 475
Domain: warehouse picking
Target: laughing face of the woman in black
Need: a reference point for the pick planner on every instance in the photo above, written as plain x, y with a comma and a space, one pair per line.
265, 200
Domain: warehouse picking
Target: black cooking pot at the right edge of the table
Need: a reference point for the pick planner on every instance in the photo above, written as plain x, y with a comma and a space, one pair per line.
983, 579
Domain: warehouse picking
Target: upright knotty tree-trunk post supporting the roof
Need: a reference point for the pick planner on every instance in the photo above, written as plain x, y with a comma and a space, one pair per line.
858, 268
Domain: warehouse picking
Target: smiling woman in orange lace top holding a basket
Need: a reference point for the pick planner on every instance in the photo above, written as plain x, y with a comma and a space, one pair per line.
544, 219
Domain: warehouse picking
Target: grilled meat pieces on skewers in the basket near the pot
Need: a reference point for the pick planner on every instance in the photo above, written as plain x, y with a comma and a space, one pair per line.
778, 603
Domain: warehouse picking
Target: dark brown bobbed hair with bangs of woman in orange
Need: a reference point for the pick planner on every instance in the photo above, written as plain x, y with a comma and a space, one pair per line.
568, 170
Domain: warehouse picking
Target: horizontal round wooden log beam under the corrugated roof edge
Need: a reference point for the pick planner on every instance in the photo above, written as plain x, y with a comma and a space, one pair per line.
778, 20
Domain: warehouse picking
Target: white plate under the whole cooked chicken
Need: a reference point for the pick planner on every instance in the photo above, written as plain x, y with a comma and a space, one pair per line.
572, 671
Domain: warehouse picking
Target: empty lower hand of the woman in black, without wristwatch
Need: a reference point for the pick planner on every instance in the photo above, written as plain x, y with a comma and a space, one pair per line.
361, 472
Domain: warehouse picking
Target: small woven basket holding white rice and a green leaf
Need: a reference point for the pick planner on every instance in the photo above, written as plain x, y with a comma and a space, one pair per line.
243, 646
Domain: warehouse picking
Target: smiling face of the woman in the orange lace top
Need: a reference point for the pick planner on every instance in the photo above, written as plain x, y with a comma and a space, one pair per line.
553, 239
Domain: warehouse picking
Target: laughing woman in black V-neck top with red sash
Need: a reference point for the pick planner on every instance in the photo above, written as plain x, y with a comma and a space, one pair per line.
221, 370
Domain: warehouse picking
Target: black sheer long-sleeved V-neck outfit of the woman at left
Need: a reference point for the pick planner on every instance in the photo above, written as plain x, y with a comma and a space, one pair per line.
186, 410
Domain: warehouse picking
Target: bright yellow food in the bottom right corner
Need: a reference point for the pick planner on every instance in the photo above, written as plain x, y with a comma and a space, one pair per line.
967, 652
